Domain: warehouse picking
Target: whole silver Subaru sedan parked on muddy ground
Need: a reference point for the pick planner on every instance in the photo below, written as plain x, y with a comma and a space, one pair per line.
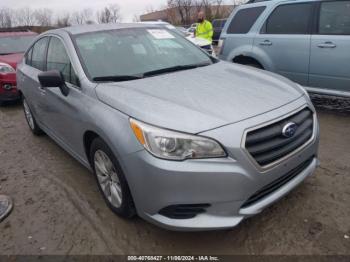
172, 134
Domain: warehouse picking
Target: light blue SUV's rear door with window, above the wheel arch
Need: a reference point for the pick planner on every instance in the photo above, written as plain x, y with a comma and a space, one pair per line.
284, 41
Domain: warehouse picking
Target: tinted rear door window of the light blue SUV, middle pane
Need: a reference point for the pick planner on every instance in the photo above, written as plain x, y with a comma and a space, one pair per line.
290, 19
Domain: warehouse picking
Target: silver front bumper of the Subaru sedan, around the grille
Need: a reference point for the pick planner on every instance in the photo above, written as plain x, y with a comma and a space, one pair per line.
225, 184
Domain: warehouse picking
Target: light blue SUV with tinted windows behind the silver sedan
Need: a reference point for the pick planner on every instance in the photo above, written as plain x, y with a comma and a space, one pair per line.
307, 41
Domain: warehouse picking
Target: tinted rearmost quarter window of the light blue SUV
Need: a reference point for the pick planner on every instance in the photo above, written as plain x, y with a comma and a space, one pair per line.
244, 19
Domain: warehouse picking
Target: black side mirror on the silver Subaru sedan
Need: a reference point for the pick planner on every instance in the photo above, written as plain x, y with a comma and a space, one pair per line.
53, 78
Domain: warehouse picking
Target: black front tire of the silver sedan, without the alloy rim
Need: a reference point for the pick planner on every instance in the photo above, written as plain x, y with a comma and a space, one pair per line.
127, 208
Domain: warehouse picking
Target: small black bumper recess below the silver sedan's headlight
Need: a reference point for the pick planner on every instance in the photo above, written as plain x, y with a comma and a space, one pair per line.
183, 211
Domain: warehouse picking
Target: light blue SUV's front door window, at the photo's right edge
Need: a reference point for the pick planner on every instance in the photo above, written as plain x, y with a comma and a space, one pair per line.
334, 18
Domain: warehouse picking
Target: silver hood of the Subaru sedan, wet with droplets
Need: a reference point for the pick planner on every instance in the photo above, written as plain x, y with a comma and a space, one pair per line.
200, 99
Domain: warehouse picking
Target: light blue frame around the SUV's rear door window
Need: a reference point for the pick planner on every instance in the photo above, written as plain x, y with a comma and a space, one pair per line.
311, 22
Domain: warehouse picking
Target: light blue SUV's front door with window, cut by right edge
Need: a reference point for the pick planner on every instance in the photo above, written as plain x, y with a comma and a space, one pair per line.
330, 47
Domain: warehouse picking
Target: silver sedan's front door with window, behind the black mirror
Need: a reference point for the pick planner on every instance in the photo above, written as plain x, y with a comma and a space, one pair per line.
62, 114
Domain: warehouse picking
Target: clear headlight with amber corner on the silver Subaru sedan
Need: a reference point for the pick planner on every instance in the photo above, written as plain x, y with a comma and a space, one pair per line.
173, 145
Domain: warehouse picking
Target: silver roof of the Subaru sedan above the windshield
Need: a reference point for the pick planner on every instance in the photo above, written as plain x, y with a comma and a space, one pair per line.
82, 29
